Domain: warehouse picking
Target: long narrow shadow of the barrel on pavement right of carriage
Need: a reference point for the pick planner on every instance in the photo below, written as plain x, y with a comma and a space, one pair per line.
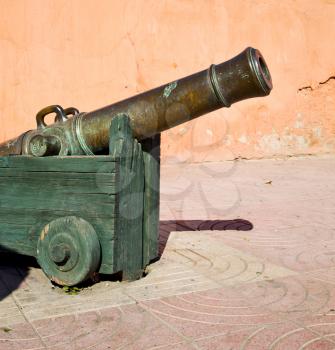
168, 226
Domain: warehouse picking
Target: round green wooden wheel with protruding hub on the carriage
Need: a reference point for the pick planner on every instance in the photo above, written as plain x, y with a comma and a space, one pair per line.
68, 250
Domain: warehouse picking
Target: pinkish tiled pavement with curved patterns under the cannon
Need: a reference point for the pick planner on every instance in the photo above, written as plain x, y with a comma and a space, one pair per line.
248, 262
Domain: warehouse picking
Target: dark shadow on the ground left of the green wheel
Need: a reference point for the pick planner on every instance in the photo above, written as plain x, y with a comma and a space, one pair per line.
14, 268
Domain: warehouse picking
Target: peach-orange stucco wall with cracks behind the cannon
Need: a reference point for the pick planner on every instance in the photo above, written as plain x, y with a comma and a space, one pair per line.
89, 53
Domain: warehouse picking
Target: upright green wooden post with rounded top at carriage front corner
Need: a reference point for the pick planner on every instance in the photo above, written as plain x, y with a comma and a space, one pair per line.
129, 198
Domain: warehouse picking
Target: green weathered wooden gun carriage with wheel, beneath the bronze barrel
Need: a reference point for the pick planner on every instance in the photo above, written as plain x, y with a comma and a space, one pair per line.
84, 214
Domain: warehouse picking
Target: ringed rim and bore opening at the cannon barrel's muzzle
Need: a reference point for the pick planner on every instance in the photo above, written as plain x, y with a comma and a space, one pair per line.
260, 68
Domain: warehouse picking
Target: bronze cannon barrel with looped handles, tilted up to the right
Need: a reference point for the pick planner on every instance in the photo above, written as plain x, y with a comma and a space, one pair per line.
244, 76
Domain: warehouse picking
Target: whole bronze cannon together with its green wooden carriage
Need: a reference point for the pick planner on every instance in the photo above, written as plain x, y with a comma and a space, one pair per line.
82, 194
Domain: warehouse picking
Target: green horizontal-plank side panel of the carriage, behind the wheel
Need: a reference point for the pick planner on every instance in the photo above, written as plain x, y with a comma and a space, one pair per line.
35, 191
